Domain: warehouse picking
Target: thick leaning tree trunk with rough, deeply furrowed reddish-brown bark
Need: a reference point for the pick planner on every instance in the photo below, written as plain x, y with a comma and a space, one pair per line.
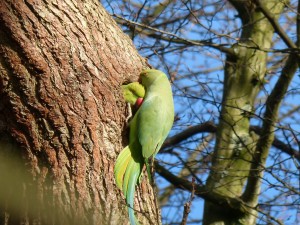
62, 114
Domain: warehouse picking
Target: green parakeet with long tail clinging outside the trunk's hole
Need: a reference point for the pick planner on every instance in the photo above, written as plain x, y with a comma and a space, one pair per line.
148, 130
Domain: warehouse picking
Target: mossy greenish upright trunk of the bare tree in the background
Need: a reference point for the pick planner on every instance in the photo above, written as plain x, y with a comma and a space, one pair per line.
235, 144
